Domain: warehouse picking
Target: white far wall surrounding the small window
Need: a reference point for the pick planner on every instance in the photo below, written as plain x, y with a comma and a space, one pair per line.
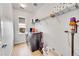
19, 38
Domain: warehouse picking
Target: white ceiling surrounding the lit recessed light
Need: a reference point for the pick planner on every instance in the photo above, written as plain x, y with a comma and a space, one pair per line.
31, 7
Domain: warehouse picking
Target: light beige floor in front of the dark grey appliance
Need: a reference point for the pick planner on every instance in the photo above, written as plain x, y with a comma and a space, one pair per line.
23, 50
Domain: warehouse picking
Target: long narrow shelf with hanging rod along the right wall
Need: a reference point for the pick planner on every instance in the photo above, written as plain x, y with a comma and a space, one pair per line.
66, 10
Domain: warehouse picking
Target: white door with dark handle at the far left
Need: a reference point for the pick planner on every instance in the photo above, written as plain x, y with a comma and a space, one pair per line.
7, 28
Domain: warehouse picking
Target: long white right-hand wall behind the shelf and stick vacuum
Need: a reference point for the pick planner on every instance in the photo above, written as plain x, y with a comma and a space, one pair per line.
53, 29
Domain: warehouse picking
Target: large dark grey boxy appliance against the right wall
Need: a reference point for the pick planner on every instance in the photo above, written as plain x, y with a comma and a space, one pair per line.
35, 41
